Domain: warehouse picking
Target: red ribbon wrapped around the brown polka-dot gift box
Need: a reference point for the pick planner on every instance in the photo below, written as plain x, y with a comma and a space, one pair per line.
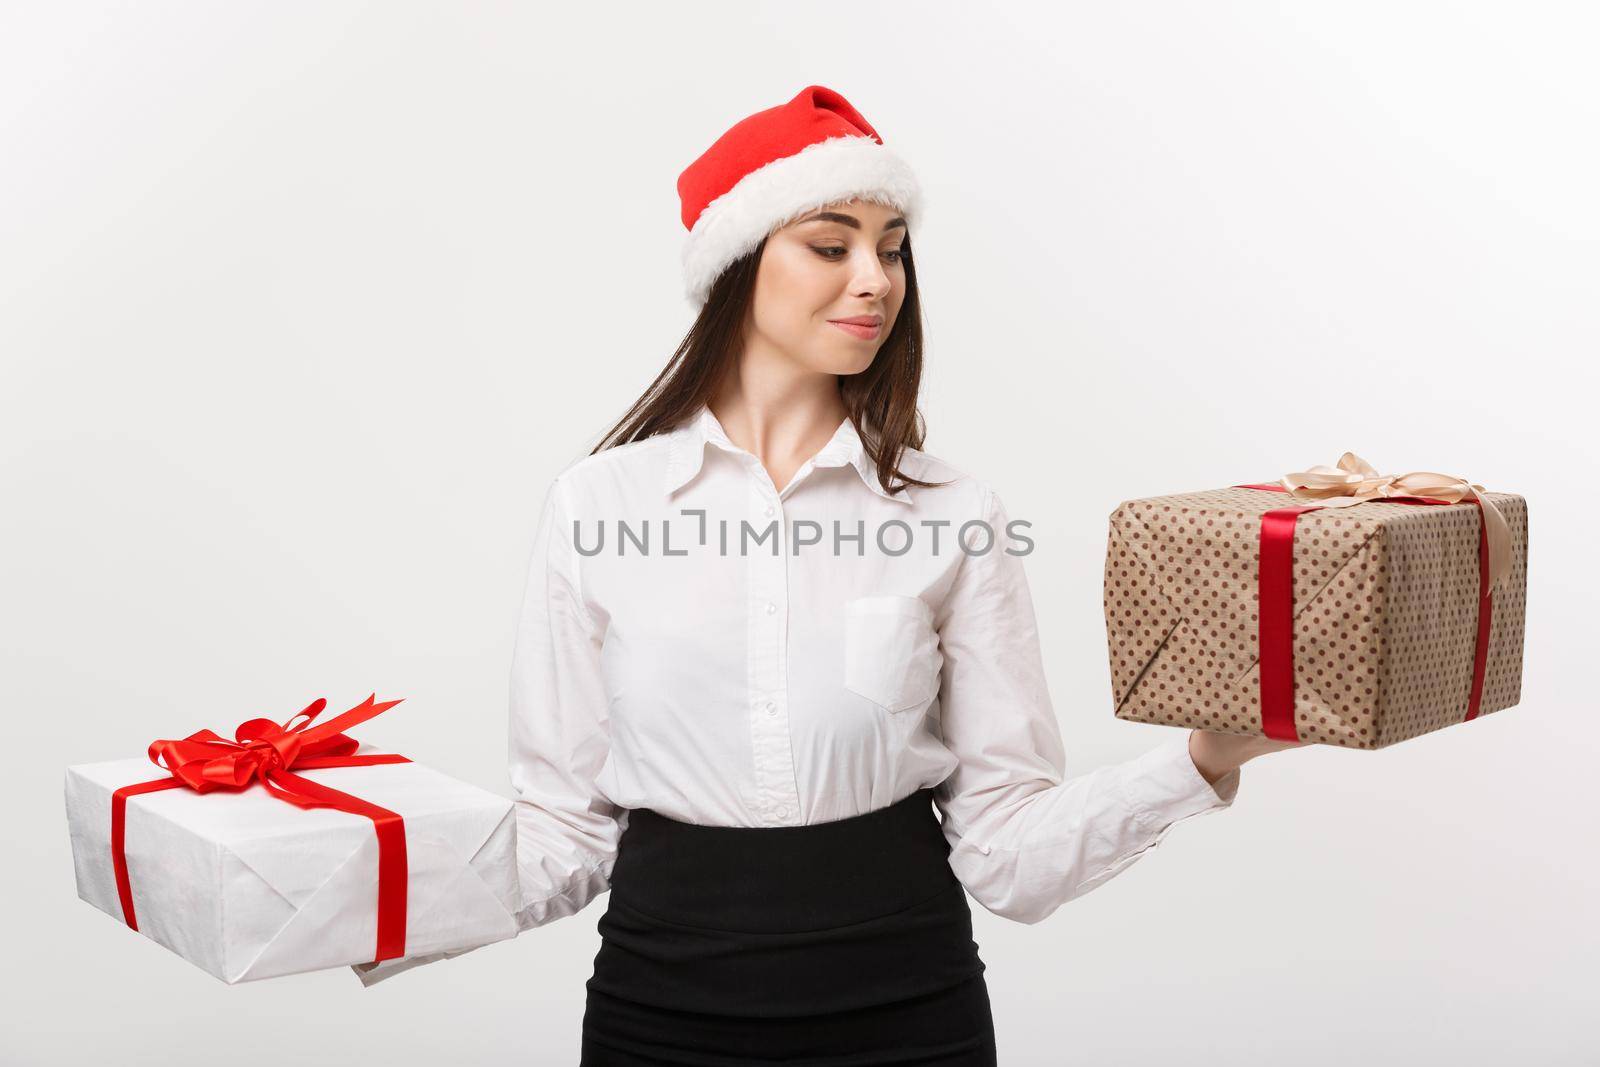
1276, 612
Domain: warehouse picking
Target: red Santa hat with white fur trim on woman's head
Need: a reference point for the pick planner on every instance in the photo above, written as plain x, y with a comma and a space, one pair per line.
777, 166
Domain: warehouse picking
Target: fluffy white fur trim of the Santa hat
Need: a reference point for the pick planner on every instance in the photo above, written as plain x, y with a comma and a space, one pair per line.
828, 172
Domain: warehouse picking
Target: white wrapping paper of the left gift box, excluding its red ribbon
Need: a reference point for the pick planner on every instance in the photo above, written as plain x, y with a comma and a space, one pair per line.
247, 885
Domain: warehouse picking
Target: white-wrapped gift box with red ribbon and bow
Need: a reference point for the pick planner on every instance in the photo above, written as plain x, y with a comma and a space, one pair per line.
292, 849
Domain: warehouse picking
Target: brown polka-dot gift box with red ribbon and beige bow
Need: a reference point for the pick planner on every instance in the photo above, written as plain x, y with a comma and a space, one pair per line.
1332, 607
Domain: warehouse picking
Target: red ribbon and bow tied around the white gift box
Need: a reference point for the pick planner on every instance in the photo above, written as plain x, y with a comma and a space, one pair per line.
265, 751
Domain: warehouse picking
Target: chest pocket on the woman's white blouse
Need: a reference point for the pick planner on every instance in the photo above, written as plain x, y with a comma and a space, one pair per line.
892, 652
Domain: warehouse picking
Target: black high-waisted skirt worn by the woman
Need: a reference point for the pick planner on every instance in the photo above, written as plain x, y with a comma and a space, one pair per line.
836, 945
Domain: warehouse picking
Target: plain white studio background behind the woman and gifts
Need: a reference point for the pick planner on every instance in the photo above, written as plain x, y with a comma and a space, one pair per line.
302, 306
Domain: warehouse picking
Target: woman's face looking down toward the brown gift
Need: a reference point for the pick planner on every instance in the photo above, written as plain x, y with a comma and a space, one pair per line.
838, 263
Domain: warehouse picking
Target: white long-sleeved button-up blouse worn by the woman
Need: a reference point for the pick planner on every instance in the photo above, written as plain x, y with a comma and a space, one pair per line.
700, 642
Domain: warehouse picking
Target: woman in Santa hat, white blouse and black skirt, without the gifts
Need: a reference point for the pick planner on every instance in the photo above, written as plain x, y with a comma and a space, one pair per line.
766, 642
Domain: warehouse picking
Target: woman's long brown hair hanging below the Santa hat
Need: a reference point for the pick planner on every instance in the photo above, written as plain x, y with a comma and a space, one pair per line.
881, 401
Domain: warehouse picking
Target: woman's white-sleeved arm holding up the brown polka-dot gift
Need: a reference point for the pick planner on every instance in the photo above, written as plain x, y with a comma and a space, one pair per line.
1025, 839
